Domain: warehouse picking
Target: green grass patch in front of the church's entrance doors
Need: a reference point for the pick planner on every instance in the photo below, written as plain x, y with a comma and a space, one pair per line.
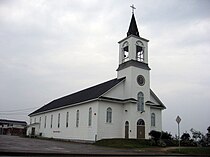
124, 143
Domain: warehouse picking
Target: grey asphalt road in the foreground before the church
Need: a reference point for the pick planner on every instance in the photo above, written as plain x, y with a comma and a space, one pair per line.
19, 146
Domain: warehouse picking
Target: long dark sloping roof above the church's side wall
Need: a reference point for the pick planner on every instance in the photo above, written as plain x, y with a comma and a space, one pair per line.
81, 96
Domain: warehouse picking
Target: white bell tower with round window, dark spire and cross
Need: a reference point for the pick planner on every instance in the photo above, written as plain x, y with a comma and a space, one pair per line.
133, 61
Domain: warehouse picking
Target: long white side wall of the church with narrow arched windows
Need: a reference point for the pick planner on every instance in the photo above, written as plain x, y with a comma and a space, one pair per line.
82, 132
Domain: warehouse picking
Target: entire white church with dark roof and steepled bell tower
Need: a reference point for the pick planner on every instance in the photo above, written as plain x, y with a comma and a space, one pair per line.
124, 107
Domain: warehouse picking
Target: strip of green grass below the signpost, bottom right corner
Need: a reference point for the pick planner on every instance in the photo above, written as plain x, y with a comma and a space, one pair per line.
192, 150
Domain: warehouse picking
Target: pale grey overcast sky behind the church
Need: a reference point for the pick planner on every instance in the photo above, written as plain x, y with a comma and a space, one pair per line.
52, 48
